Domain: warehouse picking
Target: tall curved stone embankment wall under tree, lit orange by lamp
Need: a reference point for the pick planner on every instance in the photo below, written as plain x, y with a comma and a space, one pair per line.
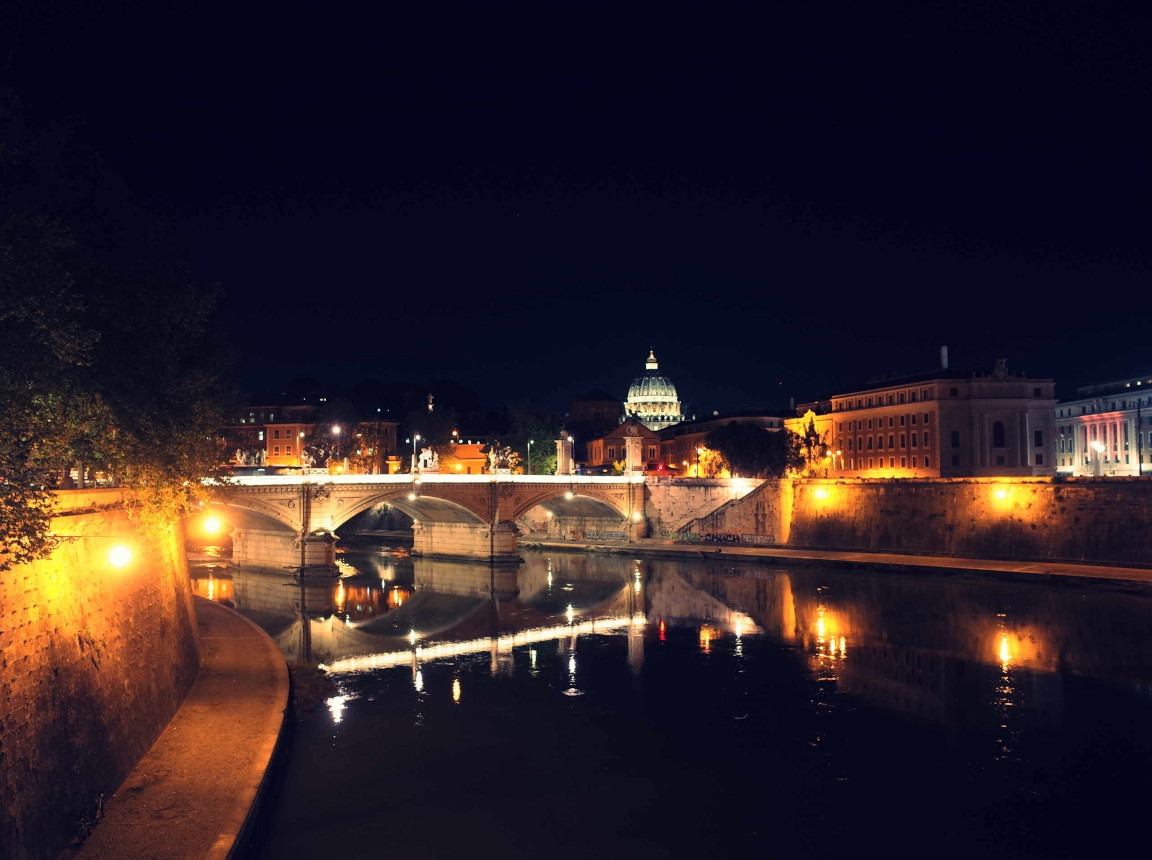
95, 661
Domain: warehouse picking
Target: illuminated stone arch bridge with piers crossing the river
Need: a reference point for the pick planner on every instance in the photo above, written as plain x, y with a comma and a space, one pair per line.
289, 521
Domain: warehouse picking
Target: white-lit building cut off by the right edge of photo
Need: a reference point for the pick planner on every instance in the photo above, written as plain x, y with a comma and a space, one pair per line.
1108, 431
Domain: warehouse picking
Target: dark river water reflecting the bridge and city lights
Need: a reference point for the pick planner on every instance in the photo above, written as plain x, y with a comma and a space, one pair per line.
992, 720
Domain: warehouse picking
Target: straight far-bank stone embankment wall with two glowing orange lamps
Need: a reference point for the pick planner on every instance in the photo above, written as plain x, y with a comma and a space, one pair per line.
1085, 519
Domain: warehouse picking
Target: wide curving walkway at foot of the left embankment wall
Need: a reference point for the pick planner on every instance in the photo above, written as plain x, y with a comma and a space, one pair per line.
192, 794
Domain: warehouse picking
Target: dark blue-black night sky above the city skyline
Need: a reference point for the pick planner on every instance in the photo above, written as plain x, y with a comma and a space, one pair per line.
782, 200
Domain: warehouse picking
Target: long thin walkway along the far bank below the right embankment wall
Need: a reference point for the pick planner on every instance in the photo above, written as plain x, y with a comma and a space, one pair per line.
842, 559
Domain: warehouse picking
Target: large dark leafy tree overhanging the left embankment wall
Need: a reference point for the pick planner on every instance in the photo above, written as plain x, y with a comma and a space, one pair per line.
105, 368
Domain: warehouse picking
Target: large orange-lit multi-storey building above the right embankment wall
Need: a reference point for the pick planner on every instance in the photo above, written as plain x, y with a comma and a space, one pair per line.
944, 424
